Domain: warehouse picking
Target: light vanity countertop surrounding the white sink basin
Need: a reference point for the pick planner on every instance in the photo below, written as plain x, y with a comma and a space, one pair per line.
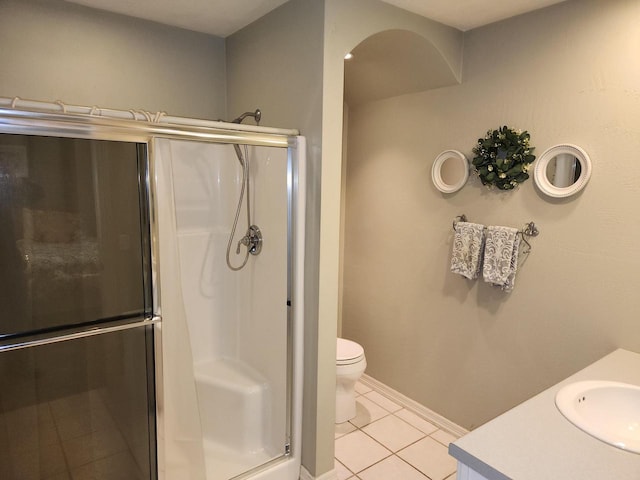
533, 441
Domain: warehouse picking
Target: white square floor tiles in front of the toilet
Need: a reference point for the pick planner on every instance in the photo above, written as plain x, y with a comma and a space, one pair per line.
388, 442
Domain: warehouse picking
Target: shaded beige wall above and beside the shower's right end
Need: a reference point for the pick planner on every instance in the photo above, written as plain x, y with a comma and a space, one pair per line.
276, 64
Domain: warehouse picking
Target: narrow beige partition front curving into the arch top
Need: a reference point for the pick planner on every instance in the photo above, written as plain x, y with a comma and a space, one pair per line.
347, 23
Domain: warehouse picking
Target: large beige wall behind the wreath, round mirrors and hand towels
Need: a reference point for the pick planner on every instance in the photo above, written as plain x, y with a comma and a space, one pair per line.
569, 73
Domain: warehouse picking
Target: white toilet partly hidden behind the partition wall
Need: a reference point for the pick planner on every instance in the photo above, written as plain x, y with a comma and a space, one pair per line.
350, 365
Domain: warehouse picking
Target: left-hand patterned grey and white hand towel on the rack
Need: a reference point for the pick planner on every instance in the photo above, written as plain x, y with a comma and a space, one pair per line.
466, 255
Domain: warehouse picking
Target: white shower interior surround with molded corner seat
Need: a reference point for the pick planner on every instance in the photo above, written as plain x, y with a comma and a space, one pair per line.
225, 335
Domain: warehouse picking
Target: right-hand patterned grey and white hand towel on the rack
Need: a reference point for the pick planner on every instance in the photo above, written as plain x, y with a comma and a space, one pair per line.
501, 256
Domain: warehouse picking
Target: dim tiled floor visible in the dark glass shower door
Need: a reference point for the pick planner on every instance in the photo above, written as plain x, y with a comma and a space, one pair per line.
74, 437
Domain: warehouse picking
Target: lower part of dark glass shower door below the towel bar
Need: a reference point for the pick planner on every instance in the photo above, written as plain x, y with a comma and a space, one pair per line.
78, 409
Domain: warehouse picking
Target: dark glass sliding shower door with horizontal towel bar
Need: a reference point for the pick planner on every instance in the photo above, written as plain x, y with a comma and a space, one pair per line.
76, 348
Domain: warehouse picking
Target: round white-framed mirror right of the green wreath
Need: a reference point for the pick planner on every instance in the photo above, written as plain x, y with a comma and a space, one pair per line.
562, 170
